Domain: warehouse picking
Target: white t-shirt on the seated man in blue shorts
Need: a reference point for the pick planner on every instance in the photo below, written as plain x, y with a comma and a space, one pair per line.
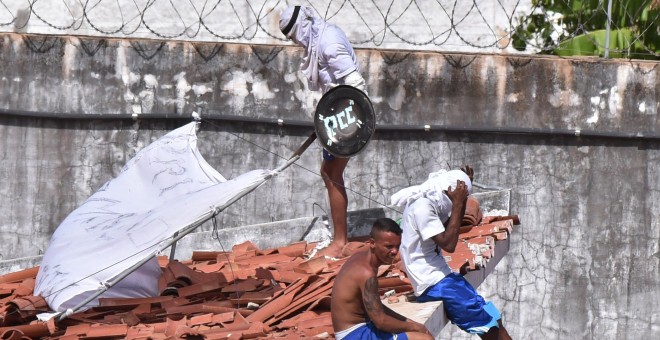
425, 266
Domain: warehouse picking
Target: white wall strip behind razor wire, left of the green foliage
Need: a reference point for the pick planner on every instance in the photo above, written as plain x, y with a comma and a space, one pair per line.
448, 24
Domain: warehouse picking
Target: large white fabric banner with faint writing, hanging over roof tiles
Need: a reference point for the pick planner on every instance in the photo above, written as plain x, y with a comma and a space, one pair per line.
164, 188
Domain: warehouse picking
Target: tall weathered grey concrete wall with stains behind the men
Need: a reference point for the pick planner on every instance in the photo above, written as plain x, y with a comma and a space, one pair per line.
585, 262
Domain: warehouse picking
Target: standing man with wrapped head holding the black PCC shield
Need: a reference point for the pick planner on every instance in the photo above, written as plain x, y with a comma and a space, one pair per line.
328, 60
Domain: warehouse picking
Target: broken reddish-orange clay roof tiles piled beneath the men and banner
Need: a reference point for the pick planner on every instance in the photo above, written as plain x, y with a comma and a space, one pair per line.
246, 293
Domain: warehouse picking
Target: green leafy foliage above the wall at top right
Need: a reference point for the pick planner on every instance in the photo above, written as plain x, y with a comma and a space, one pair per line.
634, 29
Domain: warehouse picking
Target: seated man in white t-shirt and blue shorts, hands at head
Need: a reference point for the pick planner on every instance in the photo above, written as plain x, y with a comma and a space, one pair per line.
431, 221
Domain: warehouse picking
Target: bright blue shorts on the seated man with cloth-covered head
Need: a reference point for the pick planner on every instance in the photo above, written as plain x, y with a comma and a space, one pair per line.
464, 307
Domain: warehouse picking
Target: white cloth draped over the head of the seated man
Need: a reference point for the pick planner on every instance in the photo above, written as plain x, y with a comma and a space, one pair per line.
433, 188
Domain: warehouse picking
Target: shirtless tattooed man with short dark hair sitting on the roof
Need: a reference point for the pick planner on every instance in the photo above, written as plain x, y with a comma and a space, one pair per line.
357, 312
